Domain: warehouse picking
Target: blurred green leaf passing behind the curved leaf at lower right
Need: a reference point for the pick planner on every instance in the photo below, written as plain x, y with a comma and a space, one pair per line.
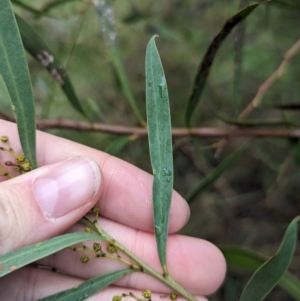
251, 261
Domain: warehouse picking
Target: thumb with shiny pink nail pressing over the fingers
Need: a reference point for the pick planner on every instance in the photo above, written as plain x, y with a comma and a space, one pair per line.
45, 202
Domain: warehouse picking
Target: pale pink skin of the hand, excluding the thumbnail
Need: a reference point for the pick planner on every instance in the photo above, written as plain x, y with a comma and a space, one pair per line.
124, 198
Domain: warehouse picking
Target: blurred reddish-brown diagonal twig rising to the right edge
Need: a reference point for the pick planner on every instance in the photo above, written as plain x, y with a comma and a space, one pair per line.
255, 102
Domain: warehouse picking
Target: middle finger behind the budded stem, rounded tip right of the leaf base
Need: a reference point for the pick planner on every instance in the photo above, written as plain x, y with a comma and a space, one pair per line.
196, 264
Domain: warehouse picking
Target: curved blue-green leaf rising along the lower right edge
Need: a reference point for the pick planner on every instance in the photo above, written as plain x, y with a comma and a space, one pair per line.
270, 273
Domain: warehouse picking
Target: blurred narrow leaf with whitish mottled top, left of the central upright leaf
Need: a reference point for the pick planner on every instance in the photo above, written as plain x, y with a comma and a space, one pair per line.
109, 31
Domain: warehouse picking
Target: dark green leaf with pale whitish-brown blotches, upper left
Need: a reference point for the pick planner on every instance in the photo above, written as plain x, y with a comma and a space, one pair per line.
36, 46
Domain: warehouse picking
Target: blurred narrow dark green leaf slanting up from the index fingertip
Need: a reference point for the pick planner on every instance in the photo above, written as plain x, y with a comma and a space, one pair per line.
216, 173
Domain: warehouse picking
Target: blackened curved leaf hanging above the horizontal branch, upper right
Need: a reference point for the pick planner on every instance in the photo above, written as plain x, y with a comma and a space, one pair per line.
206, 63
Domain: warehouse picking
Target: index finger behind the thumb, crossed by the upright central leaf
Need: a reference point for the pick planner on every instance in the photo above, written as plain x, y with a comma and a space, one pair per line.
127, 190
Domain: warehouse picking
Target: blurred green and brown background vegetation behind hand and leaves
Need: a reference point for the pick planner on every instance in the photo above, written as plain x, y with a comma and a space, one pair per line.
255, 198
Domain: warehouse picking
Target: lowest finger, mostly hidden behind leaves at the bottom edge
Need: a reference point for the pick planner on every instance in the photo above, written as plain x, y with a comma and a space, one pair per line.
34, 284
